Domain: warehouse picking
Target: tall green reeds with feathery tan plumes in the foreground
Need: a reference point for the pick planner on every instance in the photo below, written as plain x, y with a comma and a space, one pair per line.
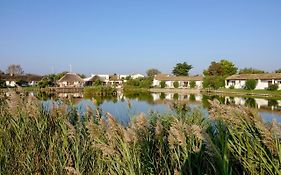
231, 140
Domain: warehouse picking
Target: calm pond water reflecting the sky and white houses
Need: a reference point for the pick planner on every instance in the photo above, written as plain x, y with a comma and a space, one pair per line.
126, 106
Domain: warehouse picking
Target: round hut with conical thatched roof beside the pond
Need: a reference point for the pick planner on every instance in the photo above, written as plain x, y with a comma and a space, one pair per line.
71, 80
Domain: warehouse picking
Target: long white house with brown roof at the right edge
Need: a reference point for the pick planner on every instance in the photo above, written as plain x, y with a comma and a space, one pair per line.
263, 80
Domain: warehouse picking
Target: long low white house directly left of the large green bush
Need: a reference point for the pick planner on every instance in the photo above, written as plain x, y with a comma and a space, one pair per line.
184, 81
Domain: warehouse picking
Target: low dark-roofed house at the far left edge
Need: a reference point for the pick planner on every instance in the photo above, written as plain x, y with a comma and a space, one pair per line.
21, 80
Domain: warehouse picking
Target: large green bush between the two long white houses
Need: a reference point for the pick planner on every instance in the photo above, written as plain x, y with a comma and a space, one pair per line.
214, 82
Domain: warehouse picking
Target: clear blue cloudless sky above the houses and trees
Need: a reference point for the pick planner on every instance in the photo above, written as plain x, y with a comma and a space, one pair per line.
130, 36
